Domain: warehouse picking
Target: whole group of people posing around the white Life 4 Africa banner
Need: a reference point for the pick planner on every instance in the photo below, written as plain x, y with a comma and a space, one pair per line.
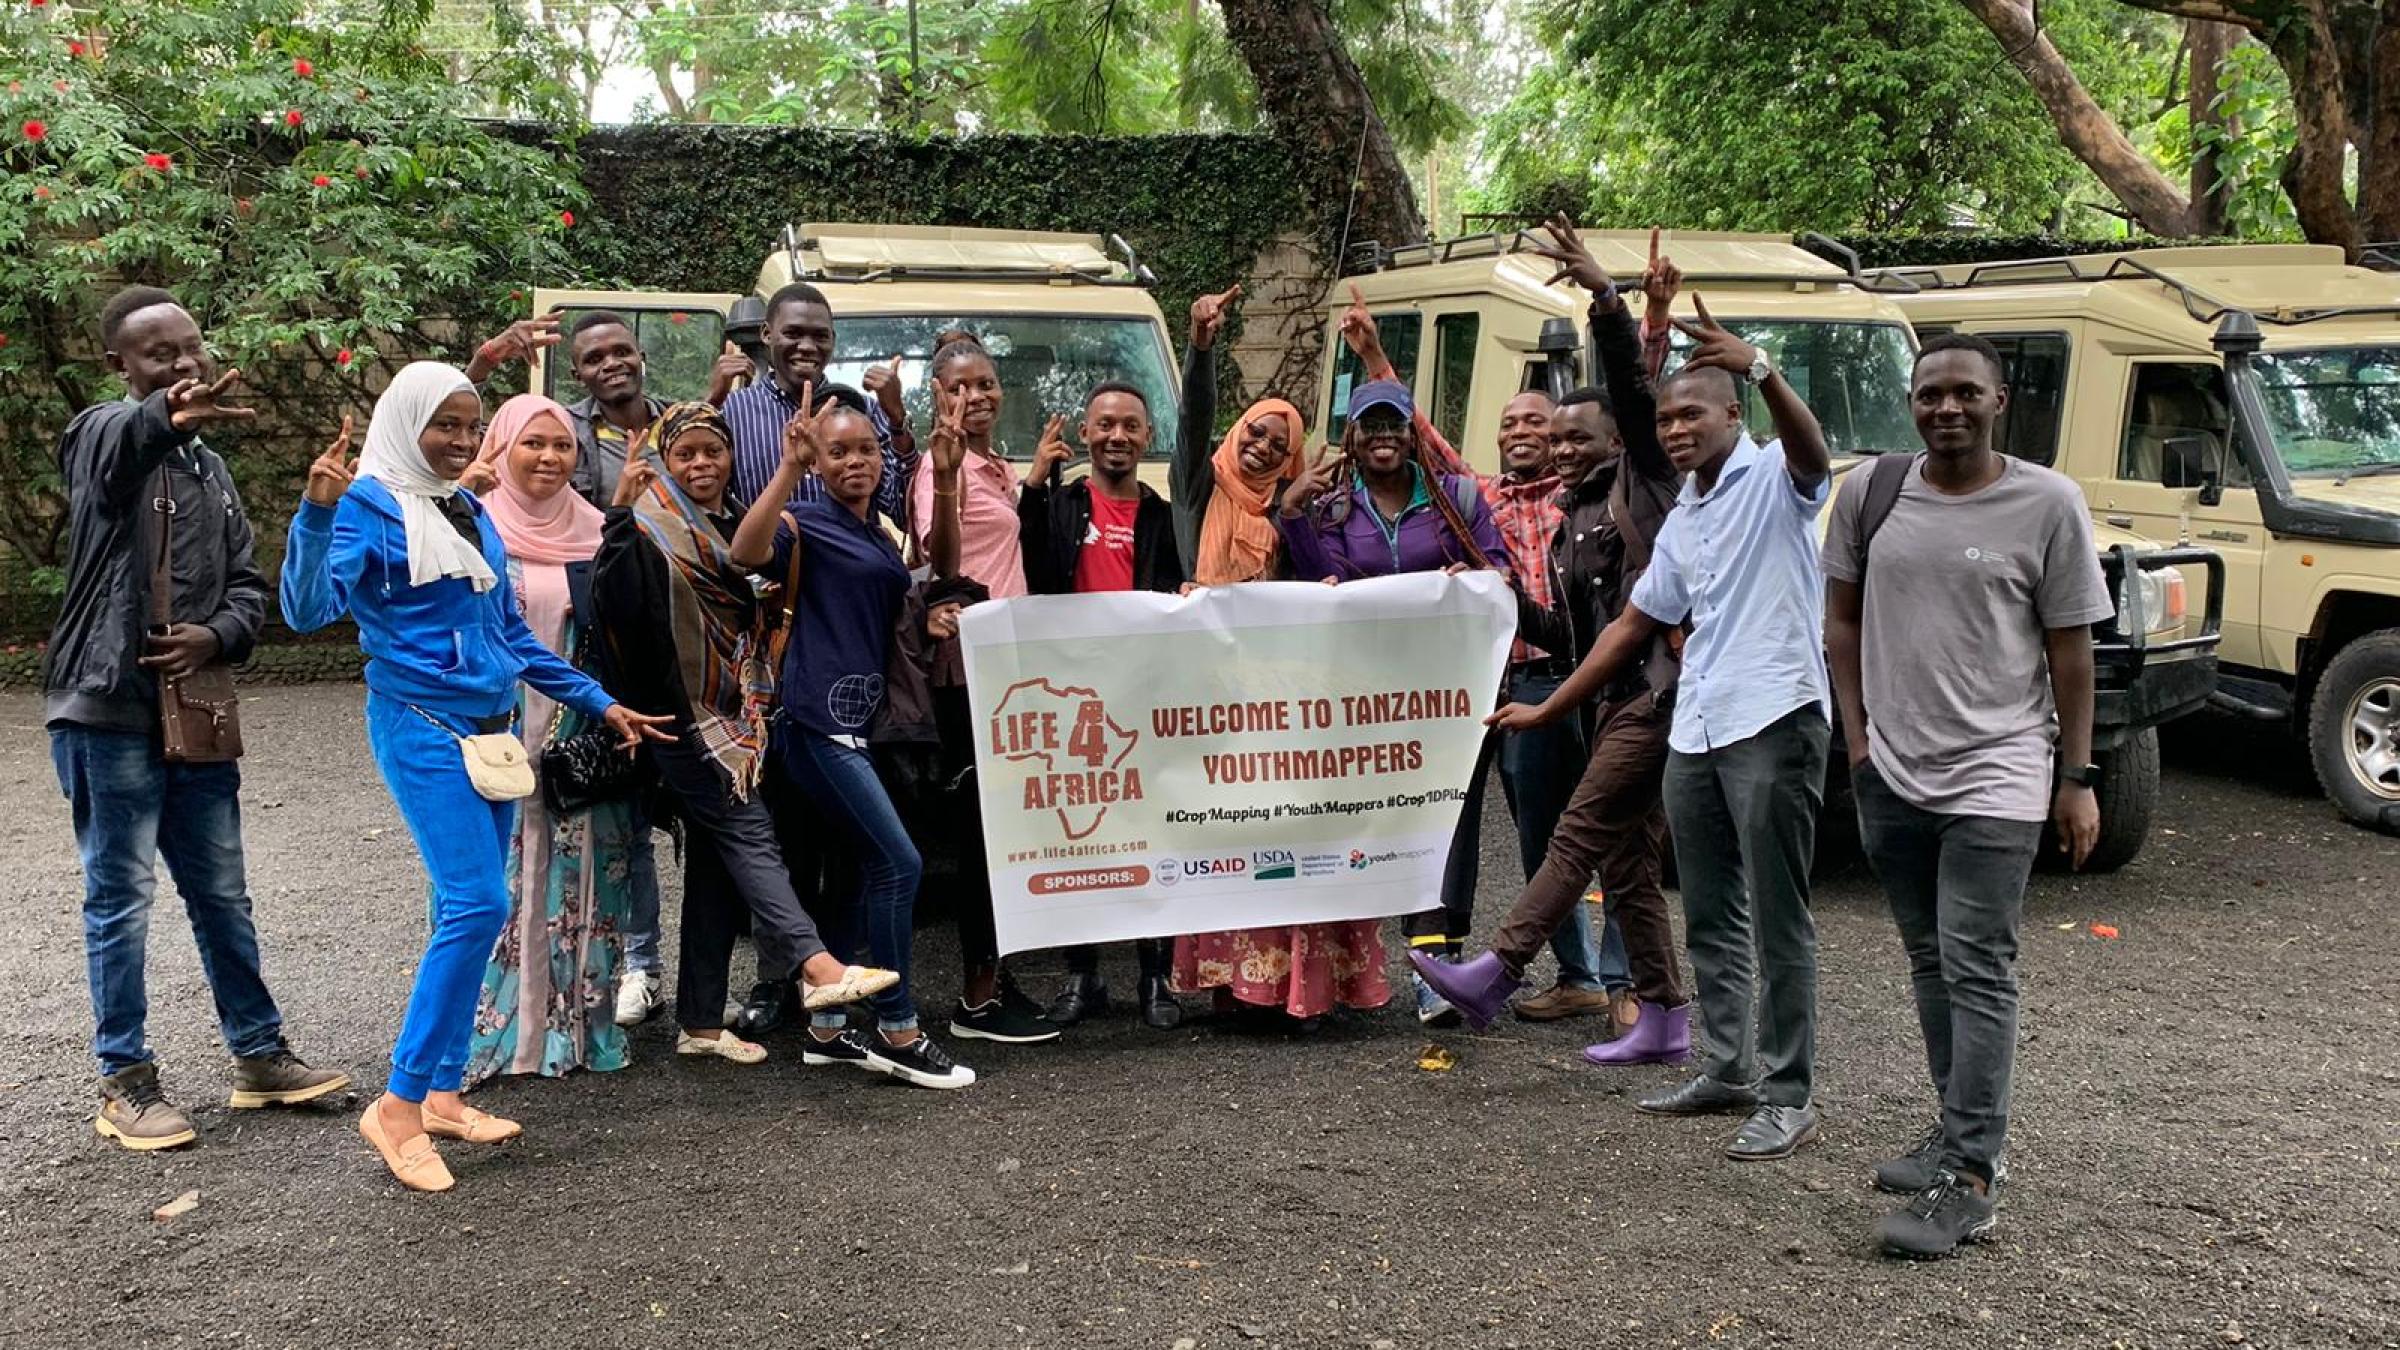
738, 619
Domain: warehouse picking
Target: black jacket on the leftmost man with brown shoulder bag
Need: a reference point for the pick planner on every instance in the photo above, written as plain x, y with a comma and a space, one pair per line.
109, 460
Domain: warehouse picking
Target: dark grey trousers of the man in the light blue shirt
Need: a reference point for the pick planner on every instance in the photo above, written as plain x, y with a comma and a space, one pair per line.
1746, 835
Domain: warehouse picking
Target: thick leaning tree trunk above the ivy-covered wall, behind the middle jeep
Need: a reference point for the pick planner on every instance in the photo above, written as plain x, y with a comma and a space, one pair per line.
1321, 112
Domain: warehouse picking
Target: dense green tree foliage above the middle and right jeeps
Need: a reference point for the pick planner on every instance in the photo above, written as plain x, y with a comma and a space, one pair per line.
1816, 114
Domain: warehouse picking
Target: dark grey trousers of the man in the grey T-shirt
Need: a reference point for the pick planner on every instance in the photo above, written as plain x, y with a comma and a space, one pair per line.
1957, 892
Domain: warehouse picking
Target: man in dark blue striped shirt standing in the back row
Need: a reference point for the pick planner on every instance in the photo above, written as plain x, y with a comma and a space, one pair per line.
798, 347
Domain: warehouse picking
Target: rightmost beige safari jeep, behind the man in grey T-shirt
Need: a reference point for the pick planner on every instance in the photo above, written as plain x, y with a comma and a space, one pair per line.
2245, 400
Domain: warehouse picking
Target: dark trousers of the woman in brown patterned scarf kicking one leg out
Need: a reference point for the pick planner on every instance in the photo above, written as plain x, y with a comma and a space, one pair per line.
731, 864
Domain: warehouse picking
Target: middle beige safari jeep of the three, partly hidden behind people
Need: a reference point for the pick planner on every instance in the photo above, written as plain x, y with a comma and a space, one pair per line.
1496, 330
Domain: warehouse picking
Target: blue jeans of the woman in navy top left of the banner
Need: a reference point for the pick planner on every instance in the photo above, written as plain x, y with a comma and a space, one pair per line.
844, 784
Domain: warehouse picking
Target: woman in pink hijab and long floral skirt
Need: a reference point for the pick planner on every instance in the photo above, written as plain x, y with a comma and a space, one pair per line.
548, 993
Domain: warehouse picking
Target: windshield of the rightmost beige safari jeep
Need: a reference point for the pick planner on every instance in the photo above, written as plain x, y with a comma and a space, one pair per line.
2334, 410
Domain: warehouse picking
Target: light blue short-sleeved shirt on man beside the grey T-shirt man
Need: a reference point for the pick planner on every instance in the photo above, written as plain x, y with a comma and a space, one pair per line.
1741, 563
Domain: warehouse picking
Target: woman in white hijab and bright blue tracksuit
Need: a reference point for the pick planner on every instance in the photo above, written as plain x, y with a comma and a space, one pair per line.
416, 563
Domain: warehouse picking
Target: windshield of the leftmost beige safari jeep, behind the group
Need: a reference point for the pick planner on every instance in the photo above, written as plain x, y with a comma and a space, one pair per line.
1048, 366
